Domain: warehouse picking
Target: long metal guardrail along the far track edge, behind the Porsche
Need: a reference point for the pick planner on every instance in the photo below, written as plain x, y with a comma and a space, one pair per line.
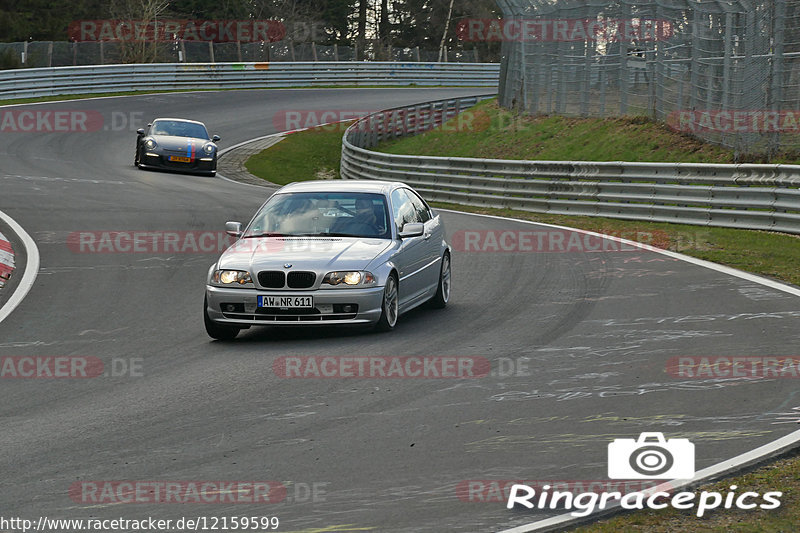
25, 83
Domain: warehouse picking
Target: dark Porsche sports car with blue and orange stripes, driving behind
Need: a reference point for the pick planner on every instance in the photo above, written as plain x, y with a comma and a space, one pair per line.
177, 144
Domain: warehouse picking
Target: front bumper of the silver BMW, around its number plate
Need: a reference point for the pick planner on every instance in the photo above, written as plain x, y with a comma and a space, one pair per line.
239, 306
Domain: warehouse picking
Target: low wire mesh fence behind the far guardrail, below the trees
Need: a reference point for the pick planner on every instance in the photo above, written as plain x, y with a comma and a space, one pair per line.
63, 53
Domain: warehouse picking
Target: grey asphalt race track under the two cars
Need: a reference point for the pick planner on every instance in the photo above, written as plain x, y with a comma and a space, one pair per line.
578, 340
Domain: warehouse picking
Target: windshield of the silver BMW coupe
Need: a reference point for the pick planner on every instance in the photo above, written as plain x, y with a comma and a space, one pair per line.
347, 214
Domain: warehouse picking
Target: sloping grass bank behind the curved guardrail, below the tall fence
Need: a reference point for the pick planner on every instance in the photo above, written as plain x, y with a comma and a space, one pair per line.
488, 131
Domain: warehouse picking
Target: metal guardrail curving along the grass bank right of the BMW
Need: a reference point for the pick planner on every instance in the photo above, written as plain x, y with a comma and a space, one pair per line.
762, 197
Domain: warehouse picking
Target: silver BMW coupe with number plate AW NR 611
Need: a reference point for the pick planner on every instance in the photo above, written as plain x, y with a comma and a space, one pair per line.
330, 252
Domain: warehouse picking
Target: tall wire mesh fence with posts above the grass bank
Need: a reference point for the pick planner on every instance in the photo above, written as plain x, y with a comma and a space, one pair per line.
727, 71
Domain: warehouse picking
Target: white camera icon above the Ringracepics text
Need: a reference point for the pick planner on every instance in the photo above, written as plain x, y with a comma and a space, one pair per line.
650, 457
